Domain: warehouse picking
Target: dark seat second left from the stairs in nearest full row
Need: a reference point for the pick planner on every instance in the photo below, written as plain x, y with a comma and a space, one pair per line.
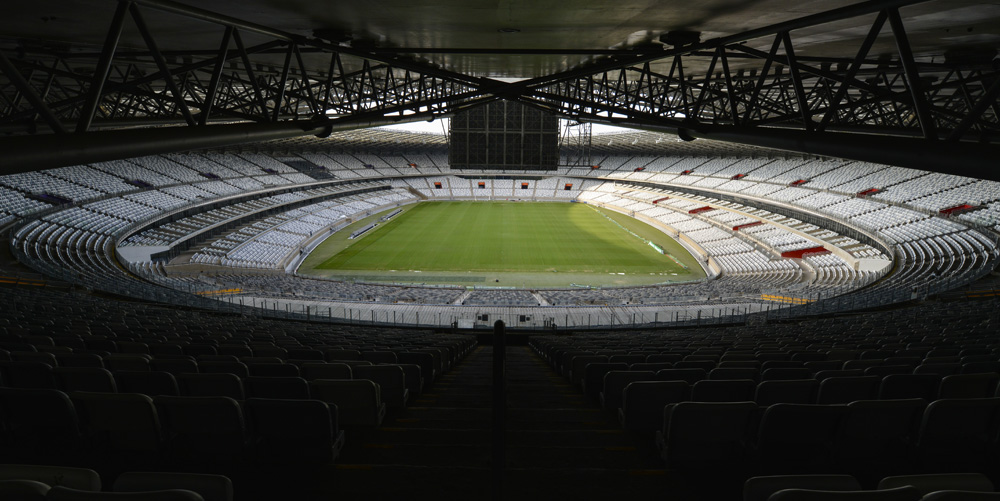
206, 431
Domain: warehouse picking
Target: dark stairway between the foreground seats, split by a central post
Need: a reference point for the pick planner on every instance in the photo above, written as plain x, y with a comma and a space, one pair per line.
560, 445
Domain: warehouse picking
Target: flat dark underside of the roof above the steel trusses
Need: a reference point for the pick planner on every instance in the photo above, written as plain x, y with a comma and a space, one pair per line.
512, 38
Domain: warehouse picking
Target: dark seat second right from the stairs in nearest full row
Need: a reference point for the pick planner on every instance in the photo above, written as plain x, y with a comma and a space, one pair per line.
798, 438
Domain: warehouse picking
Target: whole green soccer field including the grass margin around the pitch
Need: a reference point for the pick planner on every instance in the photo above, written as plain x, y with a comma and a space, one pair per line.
506, 243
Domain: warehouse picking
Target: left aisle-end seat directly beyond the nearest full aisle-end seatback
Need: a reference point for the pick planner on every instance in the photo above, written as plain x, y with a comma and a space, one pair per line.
359, 402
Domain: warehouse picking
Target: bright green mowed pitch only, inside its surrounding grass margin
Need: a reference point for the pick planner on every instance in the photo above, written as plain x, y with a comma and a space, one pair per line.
501, 237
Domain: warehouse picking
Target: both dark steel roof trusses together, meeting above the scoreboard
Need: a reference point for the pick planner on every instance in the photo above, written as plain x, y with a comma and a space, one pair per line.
756, 87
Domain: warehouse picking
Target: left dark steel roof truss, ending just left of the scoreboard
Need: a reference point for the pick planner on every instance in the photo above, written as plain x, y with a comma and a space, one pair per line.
266, 80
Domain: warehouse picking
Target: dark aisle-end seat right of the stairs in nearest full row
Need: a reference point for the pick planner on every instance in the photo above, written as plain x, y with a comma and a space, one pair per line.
698, 435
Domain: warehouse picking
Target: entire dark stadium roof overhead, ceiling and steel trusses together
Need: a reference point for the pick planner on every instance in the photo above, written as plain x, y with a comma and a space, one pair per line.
905, 82
